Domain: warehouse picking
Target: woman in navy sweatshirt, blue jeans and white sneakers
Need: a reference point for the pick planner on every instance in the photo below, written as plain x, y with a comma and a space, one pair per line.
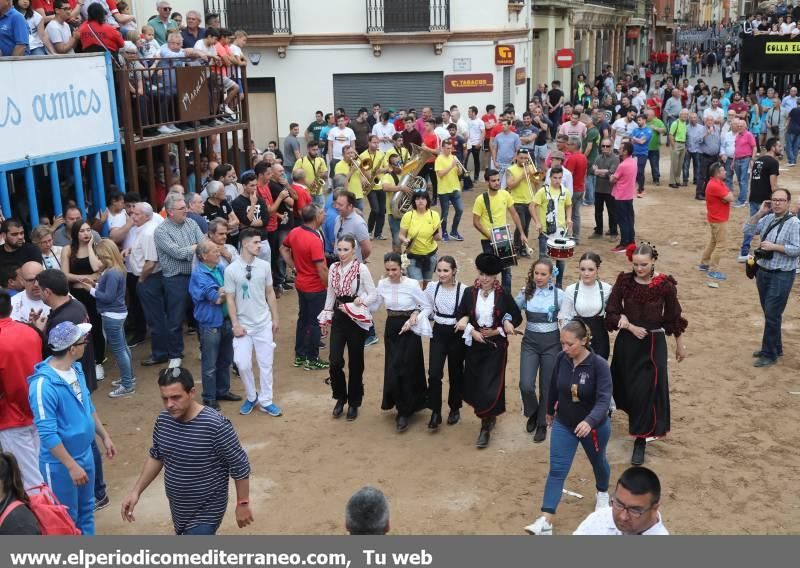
577, 412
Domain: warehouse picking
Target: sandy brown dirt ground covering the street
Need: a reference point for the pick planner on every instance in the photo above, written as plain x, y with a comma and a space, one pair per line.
728, 466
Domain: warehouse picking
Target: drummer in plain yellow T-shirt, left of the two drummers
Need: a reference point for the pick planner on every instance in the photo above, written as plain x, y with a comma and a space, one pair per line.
501, 205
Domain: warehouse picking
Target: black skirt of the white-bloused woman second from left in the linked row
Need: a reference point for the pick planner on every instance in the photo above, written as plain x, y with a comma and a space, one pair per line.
404, 381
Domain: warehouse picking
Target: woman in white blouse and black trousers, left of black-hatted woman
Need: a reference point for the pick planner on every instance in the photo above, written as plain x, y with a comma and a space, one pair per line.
446, 345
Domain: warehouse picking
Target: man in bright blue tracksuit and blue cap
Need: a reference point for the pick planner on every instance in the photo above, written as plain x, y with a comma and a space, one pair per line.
67, 423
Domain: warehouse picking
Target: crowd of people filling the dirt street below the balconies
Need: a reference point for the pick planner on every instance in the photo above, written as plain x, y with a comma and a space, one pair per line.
215, 260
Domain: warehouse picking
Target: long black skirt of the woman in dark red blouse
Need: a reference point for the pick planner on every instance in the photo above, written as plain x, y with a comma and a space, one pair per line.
641, 385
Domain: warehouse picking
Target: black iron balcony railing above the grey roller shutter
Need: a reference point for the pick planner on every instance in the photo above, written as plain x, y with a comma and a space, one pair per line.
397, 16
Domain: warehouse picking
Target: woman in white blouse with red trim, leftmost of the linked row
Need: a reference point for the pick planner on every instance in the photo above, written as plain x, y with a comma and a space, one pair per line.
350, 290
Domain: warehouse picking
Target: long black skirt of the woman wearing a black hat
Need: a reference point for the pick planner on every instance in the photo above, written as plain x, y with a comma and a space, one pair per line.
485, 376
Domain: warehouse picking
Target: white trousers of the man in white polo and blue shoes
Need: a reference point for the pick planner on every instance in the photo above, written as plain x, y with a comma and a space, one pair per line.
243, 347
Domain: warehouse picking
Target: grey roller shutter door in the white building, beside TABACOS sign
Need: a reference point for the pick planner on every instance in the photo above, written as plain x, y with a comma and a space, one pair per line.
391, 90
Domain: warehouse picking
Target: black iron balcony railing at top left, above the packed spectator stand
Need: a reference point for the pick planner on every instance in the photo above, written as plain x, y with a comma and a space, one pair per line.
253, 16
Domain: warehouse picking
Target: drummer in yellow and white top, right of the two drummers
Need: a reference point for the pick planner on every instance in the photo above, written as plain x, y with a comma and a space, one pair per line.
552, 217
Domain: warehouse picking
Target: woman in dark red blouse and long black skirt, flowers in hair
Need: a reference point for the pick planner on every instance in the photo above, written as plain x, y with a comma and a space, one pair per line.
644, 308
